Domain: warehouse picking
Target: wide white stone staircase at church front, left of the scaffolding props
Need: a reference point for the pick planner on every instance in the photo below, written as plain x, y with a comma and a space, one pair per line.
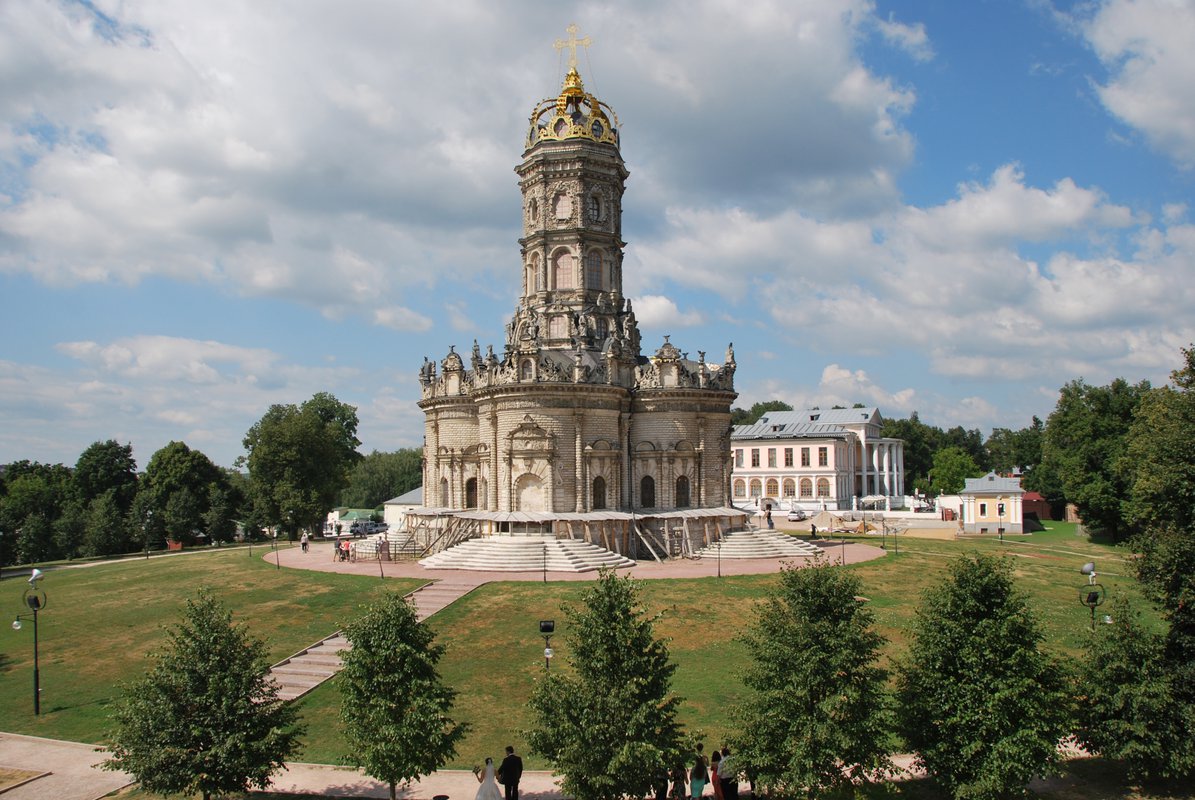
526, 554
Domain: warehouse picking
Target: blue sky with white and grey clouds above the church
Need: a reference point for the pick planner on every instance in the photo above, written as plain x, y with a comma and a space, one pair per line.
952, 209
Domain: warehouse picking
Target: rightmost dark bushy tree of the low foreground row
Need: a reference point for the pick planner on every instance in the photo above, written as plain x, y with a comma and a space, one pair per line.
1132, 707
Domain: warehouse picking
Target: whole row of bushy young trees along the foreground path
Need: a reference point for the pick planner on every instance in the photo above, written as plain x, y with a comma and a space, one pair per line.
977, 698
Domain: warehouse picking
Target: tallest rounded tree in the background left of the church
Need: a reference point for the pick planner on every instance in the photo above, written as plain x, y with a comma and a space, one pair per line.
299, 461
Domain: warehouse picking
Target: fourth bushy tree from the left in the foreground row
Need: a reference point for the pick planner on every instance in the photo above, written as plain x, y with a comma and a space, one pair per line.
818, 717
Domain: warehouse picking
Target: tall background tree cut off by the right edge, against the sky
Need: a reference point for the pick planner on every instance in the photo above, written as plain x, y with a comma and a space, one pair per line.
1160, 457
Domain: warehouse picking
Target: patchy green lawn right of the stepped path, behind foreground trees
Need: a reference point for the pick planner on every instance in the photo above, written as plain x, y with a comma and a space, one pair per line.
495, 654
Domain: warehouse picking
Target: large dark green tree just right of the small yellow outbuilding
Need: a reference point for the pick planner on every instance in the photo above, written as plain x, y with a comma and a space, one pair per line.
1086, 439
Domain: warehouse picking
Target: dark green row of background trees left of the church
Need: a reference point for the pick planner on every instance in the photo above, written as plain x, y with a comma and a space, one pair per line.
302, 462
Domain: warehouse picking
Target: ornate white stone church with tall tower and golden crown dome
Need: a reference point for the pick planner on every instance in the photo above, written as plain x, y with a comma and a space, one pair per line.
569, 429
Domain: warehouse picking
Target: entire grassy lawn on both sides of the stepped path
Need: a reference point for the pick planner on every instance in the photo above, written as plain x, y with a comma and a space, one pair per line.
101, 622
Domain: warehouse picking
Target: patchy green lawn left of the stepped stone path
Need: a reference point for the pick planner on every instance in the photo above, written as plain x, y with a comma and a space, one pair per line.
102, 621
